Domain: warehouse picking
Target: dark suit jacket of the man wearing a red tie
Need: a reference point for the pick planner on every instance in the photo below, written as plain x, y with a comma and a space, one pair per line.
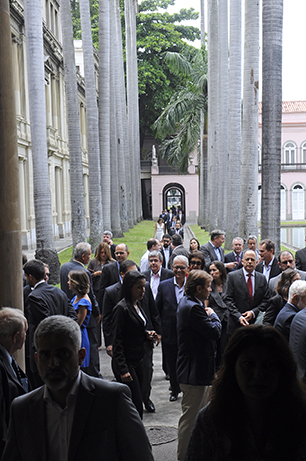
237, 297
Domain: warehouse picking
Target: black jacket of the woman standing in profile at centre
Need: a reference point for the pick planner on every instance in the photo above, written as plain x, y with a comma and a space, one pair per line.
129, 335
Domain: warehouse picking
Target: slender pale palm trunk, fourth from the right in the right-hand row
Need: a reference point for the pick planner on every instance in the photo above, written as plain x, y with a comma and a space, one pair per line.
223, 112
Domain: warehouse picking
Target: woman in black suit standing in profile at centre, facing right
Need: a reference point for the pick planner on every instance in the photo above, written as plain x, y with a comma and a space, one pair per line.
129, 335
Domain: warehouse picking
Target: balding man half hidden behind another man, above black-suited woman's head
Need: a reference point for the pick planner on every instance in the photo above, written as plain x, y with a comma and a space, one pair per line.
110, 274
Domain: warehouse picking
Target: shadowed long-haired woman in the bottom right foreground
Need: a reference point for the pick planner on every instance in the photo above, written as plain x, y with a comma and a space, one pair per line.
257, 409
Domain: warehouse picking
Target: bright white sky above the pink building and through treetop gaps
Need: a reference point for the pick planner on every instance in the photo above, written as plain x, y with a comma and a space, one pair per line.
294, 45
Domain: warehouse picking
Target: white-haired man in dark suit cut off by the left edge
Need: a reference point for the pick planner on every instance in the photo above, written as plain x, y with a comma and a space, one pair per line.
13, 381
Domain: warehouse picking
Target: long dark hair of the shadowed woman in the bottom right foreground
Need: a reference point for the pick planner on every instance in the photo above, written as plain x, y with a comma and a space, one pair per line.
227, 402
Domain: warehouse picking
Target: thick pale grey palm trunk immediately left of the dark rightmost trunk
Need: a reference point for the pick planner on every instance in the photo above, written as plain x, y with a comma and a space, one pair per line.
249, 157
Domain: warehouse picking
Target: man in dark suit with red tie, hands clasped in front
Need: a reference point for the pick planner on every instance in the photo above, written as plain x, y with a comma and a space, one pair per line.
247, 293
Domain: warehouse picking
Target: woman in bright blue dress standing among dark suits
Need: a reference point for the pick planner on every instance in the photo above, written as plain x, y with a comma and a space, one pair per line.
78, 282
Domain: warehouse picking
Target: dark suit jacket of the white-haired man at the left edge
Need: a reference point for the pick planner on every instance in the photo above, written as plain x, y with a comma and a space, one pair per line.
10, 388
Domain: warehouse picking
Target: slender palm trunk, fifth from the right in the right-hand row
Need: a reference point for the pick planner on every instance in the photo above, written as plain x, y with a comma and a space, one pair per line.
213, 114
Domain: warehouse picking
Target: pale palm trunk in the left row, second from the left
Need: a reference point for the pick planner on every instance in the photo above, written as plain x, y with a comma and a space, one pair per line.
78, 222
